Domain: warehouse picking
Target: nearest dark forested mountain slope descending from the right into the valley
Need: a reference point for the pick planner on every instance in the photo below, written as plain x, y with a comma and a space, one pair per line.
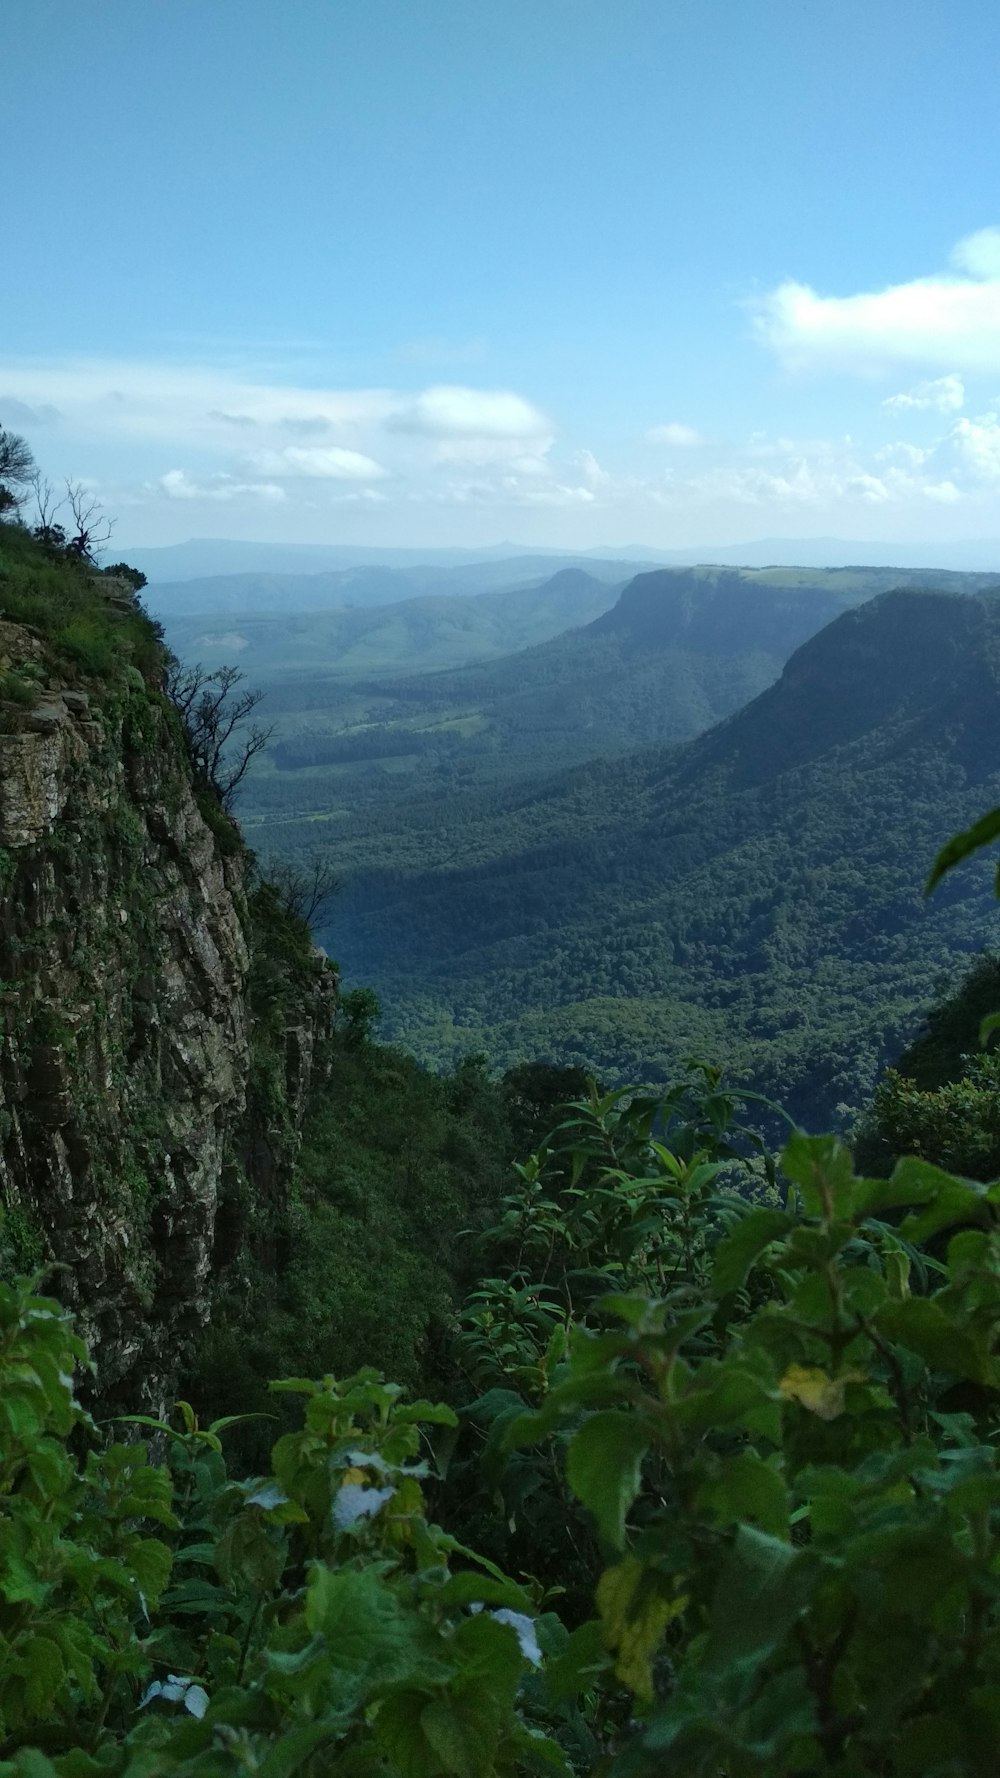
755, 895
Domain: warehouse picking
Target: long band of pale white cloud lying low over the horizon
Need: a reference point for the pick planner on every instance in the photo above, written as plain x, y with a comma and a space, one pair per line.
159, 436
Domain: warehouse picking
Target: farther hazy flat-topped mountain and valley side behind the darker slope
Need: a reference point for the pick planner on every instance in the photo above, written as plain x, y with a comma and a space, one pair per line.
355, 744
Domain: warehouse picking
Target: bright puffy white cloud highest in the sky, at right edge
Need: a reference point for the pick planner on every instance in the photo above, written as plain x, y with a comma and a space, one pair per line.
951, 317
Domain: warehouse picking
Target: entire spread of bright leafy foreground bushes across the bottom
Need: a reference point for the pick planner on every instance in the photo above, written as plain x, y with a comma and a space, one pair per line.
786, 1459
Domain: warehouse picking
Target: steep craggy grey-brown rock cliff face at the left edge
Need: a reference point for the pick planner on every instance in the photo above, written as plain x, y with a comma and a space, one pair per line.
127, 1146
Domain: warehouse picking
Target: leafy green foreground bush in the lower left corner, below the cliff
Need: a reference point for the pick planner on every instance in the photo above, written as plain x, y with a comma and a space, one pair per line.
165, 1619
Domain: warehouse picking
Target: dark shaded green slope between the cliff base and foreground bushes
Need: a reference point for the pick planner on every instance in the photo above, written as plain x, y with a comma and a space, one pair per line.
367, 1260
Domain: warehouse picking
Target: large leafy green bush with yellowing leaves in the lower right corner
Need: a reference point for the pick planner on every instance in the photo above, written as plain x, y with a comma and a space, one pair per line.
787, 1459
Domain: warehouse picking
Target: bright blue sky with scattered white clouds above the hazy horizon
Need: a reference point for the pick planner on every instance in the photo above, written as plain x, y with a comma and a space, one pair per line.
563, 273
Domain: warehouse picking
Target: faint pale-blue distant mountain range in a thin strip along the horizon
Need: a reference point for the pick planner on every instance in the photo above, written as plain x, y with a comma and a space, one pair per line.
213, 557
